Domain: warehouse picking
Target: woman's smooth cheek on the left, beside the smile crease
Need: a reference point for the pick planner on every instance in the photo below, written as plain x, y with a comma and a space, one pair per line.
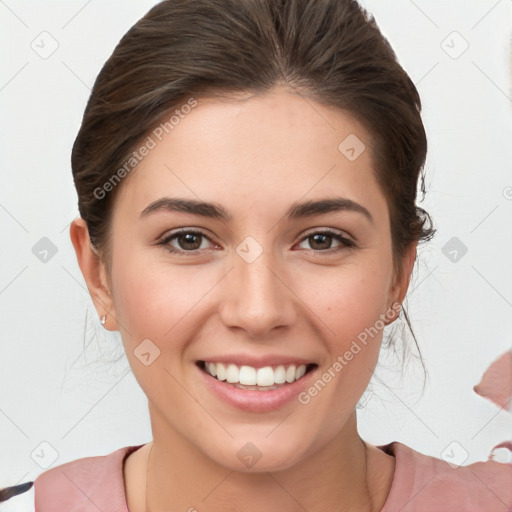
154, 303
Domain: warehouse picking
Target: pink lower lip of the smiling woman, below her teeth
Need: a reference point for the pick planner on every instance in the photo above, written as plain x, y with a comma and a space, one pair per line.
254, 400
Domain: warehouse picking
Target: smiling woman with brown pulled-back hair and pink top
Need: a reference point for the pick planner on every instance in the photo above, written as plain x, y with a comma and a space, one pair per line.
247, 175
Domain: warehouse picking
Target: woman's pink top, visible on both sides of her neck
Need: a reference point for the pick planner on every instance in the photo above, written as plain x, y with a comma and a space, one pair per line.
421, 483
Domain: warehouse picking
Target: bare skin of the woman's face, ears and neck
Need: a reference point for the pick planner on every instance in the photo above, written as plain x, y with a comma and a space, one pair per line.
255, 155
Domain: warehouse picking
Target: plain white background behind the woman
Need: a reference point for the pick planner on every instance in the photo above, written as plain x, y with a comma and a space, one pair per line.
59, 381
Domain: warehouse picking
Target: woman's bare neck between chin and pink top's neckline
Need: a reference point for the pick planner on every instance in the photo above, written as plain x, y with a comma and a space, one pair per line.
335, 477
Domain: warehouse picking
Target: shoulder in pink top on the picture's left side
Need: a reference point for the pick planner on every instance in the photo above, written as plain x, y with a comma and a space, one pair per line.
86, 484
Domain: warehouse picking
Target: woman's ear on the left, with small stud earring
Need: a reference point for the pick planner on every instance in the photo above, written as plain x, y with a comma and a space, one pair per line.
94, 272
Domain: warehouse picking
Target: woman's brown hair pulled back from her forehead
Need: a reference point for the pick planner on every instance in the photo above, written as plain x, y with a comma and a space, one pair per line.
330, 50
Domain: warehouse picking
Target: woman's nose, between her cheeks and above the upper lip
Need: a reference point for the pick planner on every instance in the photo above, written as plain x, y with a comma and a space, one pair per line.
258, 297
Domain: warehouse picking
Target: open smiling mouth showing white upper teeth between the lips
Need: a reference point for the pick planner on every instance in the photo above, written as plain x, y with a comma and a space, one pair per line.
266, 378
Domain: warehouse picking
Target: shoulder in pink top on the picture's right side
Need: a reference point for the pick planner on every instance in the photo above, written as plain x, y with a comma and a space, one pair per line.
422, 483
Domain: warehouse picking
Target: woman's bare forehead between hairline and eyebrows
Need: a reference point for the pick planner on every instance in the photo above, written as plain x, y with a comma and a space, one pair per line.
270, 149
